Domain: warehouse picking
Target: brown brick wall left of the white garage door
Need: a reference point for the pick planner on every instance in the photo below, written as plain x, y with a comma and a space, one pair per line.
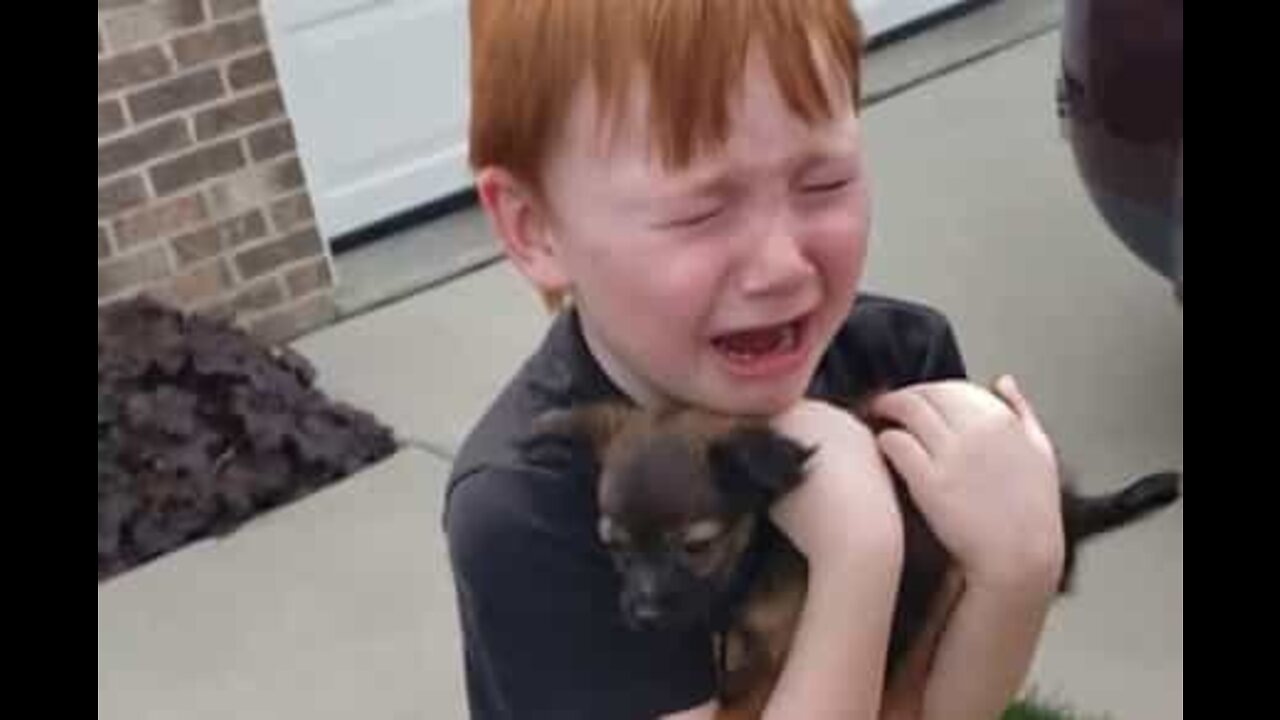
202, 199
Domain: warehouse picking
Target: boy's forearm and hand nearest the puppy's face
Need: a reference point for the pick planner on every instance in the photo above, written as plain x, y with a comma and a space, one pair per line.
845, 521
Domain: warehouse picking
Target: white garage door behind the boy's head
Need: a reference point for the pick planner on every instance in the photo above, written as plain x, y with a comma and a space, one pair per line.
378, 94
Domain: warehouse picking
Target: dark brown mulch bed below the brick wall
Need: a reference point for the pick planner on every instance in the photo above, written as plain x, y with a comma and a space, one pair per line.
202, 427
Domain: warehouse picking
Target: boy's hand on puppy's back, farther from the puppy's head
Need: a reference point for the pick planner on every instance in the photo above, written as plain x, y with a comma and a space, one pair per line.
985, 476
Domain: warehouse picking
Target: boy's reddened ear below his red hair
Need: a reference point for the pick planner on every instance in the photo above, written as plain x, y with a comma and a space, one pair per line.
522, 222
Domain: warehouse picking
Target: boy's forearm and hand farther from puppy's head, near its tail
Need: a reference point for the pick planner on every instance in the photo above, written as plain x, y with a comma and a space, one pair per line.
985, 477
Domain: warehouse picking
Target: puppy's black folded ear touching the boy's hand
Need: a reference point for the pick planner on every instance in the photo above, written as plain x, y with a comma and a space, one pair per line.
756, 466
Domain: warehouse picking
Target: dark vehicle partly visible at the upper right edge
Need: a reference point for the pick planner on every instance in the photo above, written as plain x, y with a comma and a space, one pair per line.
1121, 98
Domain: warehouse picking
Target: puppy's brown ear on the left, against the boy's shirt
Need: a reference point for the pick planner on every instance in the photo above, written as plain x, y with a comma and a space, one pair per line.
574, 436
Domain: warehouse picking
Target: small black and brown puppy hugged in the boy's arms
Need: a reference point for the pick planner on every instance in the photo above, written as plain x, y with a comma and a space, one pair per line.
684, 494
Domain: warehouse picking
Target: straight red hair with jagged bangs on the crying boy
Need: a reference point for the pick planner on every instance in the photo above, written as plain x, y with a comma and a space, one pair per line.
529, 58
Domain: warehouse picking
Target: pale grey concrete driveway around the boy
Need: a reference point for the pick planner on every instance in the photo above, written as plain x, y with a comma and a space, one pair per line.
341, 607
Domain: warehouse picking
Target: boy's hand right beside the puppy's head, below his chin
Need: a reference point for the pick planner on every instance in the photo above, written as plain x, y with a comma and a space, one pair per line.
845, 511
